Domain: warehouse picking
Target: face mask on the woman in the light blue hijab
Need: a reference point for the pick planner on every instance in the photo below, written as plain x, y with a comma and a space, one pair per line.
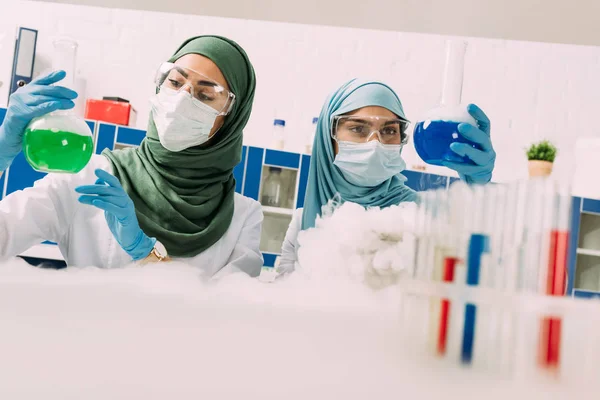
369, 164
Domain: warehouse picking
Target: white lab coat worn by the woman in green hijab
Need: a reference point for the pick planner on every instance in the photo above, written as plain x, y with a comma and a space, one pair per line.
50, 211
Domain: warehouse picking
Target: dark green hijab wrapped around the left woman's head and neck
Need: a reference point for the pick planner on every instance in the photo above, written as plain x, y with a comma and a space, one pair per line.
186, 199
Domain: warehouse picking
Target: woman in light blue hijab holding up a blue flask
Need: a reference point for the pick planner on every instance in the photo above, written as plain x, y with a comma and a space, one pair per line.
357, 155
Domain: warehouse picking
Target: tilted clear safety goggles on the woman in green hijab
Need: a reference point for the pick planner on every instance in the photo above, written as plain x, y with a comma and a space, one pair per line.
204, 89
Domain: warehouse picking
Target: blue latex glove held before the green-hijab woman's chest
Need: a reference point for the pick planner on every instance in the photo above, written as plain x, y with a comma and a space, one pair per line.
108, 195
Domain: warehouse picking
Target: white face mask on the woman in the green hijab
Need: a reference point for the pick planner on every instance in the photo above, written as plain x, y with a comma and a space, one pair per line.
181, 121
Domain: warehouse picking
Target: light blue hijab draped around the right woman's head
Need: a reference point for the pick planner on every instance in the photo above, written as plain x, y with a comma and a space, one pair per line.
325, 180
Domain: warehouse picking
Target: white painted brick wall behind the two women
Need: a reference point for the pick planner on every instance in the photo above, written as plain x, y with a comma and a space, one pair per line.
529, 90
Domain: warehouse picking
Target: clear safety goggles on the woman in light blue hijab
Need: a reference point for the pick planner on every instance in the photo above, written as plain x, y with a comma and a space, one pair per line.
360, 129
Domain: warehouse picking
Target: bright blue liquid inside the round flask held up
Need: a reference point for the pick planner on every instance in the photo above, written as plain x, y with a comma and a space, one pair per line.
433, 142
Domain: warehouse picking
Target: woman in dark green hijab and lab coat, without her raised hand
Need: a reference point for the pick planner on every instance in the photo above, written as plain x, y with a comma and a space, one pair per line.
171, 198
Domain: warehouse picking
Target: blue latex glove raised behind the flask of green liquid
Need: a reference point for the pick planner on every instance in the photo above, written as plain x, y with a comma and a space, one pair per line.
31, 101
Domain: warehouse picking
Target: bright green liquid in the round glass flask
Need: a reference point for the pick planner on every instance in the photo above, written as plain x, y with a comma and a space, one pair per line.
57, 151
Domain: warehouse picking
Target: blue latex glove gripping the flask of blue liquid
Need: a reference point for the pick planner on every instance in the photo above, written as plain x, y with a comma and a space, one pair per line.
484, 159
